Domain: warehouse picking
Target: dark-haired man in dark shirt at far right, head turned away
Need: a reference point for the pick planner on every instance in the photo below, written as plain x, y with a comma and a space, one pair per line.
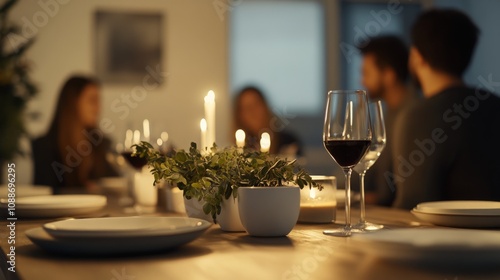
446, 147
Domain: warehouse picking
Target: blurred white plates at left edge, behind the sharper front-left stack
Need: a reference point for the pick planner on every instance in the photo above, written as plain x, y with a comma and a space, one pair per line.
51, 206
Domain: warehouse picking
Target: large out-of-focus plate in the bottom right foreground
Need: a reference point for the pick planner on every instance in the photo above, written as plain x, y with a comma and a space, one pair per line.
432, 245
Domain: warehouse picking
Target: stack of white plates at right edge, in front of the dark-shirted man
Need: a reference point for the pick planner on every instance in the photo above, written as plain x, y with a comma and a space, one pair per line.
467, 214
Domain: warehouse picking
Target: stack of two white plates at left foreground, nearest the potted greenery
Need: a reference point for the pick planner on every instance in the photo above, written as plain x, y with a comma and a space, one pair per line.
119, 235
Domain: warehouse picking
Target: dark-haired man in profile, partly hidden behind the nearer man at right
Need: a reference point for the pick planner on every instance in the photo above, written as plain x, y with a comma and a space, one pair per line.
384, 74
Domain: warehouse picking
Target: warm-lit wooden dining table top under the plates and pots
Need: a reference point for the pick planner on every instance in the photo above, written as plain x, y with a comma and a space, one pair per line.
305, 253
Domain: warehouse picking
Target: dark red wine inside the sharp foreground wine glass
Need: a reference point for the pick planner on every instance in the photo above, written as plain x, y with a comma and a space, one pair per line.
347, 153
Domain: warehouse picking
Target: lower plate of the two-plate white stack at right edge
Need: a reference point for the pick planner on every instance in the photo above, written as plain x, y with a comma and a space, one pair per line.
463, 221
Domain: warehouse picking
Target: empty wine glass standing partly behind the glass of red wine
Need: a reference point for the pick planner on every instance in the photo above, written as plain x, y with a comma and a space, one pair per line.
376, 147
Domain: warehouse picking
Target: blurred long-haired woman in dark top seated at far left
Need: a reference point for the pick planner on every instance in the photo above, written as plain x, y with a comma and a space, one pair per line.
73, 152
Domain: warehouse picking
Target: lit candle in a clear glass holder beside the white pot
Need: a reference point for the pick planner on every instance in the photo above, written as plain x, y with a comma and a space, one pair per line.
319, 206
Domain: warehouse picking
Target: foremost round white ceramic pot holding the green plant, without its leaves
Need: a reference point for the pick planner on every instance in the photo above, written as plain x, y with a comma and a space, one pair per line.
269, 211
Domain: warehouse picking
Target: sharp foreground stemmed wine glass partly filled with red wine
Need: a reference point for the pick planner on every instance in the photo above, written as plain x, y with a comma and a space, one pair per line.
347, 136
